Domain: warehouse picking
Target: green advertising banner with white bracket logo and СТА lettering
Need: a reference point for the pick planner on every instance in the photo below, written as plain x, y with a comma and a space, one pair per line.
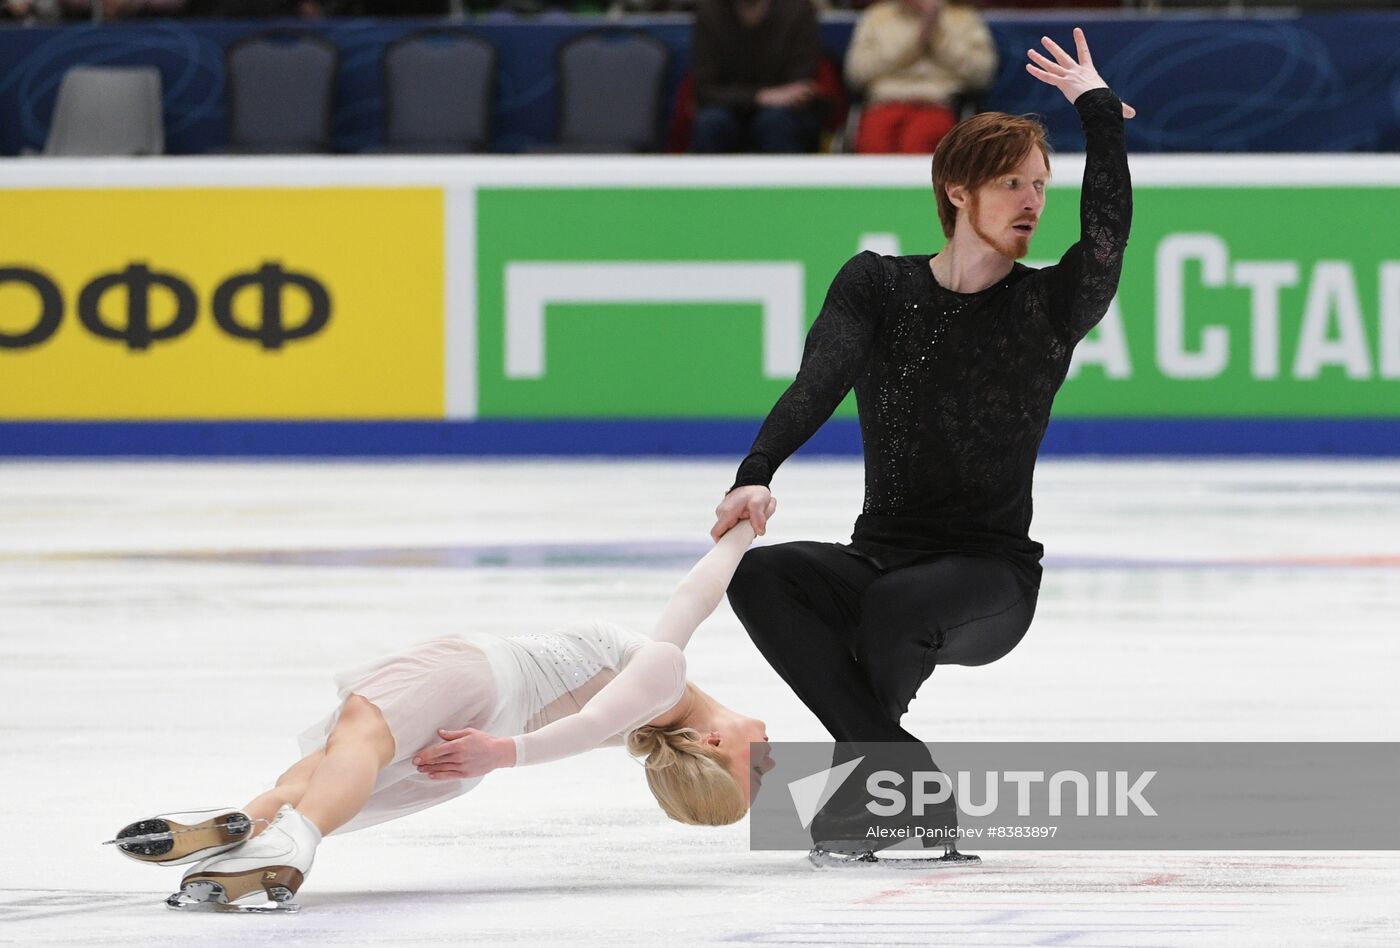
692, 302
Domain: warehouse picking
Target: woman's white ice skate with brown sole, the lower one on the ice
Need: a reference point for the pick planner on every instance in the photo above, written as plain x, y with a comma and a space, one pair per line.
262, 876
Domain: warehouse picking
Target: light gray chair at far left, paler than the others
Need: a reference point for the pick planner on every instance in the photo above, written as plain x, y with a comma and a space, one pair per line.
108, 111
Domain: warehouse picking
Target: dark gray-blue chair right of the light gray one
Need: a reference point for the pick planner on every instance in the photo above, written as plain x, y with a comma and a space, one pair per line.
281, 89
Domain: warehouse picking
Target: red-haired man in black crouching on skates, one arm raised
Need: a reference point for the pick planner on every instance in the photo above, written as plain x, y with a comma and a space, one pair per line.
955, 361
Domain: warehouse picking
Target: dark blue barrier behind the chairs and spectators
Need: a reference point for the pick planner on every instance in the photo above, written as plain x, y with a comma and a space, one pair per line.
1276, 83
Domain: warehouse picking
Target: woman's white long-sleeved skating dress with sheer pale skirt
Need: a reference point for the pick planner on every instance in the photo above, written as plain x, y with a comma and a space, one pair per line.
556, 692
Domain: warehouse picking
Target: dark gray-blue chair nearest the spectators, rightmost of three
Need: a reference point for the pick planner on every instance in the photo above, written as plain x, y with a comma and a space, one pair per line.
611, 93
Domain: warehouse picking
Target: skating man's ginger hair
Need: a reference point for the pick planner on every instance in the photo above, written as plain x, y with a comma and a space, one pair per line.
981, 149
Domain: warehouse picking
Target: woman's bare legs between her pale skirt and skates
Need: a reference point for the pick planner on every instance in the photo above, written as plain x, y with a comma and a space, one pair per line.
331, 786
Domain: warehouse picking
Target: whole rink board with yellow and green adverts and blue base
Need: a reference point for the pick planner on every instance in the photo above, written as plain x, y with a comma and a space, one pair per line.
645, 306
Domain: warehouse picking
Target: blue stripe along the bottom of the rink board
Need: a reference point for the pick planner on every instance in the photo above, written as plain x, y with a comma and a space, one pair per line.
1121, 438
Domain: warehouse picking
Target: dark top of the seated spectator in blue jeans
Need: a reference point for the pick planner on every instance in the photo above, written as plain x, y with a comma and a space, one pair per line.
731, 61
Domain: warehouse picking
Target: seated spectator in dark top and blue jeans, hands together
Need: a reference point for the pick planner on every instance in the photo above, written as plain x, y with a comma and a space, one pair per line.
755, 76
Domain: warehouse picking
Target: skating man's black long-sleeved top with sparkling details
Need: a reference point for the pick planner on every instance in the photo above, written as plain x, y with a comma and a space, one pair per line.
955, 390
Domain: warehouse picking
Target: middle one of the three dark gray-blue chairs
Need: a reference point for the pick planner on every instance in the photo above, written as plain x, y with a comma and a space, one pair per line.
437, 92
